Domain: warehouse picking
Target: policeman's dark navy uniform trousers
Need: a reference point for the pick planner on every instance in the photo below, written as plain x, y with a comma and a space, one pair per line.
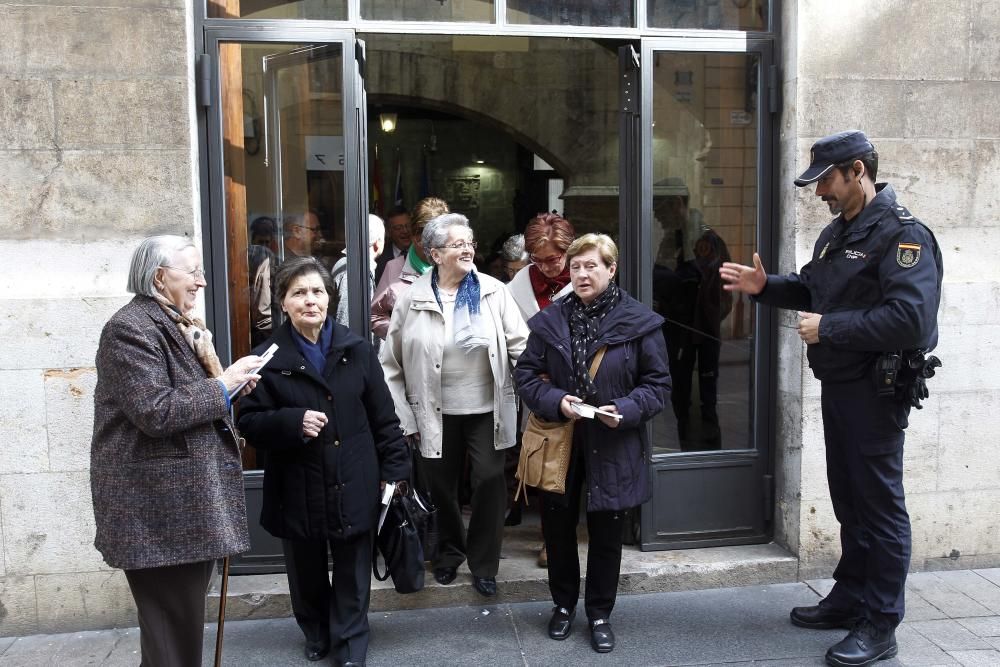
864, 461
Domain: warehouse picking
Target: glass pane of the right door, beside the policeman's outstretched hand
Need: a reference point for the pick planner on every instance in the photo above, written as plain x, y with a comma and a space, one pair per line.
705, 213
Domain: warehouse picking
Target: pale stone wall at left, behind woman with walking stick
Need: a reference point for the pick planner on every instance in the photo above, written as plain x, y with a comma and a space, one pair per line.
95, 153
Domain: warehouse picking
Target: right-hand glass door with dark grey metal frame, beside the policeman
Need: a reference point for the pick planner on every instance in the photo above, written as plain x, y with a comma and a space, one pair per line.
706, 161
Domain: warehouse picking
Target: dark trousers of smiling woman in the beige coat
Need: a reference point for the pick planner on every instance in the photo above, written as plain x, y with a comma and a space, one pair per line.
470, 435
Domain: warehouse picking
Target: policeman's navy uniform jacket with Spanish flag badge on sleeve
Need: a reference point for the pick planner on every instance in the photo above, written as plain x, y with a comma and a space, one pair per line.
876, 280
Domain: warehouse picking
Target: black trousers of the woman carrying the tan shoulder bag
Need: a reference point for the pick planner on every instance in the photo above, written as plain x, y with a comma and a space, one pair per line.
604, 556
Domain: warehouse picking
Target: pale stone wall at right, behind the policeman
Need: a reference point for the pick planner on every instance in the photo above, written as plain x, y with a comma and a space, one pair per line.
922, 79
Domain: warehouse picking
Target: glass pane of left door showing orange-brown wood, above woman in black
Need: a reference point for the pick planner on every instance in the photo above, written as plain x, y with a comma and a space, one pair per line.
284, 176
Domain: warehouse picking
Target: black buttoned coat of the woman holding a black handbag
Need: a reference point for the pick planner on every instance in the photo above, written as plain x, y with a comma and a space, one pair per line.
325, 487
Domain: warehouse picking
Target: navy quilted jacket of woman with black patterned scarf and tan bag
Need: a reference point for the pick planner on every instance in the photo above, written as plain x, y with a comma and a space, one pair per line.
634, 376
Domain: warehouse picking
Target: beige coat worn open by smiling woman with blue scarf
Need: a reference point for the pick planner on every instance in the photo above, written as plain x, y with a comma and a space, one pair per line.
413, 350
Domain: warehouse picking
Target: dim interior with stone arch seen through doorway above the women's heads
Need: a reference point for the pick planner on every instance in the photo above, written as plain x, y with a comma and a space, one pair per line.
496, 157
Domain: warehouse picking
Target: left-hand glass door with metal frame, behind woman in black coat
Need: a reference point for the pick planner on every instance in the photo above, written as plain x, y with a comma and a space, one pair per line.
288, 177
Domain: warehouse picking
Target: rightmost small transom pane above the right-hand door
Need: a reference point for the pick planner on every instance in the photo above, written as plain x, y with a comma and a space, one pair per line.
708, 14
